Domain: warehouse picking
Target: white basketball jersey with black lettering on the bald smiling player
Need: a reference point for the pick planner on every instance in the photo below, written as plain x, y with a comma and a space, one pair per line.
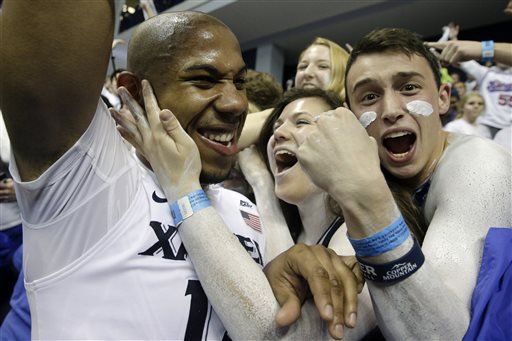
102, 257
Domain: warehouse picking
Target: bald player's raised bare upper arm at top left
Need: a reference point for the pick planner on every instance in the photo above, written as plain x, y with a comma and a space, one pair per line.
53, 61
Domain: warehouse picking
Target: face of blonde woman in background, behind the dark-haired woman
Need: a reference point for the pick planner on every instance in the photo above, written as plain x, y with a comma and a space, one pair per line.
314, 68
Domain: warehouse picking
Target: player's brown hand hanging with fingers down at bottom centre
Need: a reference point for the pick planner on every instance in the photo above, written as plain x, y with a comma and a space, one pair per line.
332, 280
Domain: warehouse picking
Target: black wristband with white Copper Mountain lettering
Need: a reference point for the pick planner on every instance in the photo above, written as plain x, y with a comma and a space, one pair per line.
394, 271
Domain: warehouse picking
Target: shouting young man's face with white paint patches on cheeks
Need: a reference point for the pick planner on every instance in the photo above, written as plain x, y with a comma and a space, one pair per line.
409, 135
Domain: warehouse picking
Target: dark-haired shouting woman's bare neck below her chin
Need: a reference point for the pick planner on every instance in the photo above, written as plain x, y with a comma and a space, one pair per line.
316, 218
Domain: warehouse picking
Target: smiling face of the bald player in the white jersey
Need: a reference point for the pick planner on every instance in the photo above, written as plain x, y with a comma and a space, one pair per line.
205, 90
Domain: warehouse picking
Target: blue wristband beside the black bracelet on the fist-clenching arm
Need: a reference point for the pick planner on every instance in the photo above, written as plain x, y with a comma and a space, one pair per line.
382, 241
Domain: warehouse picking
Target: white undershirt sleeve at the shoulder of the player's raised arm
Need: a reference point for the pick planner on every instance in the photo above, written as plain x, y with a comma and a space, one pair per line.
77, 200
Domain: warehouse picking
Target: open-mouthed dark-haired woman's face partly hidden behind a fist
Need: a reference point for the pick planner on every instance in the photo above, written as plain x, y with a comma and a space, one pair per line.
296, 122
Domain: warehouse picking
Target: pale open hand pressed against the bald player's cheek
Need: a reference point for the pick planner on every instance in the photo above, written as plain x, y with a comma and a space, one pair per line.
158, 136
